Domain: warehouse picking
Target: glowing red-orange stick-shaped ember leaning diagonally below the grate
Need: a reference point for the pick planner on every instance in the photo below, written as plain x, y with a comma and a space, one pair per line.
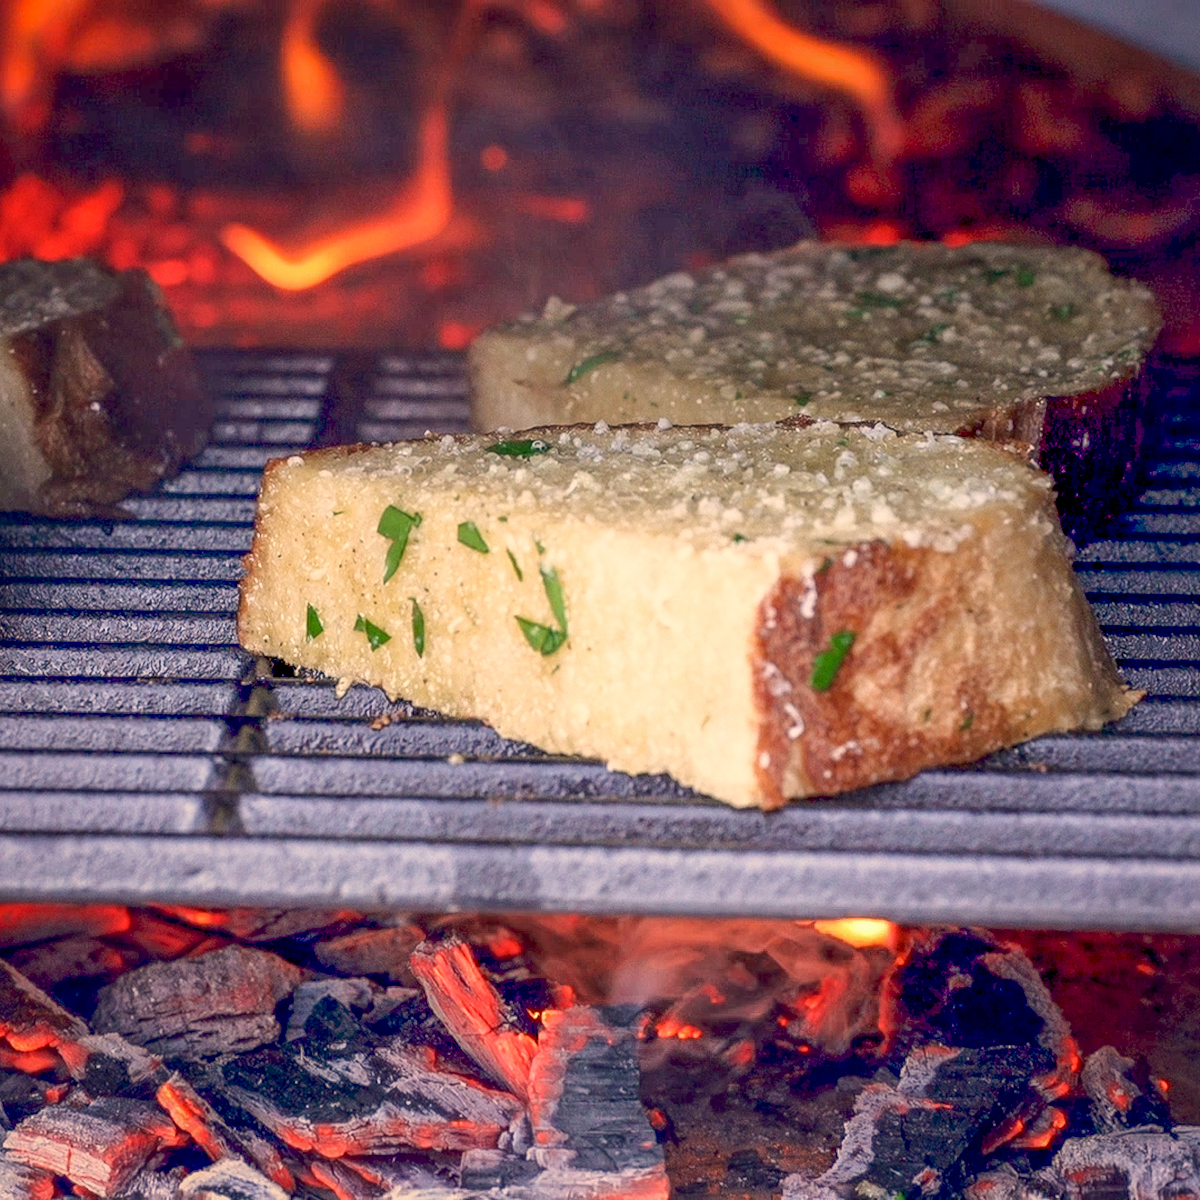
473, 1011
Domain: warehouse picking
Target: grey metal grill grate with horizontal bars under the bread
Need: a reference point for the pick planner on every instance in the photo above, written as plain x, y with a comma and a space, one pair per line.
146, 757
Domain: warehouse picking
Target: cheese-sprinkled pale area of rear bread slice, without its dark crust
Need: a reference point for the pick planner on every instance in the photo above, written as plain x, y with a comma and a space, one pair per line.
920, 337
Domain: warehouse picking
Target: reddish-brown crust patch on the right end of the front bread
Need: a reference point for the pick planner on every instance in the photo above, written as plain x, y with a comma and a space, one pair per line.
843, 746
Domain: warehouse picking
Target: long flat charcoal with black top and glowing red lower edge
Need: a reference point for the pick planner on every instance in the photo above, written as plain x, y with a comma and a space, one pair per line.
375, 1103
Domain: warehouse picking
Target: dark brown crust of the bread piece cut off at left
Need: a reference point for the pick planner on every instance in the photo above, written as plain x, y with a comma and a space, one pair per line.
119, 405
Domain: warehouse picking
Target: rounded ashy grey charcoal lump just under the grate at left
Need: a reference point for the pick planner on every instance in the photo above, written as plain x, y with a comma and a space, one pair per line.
217, 1004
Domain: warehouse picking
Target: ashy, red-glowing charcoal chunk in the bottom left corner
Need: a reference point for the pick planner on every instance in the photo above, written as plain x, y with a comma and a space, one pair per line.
99, 1148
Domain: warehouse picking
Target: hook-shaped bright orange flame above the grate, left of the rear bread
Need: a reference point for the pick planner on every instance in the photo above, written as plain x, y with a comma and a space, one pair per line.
421, 213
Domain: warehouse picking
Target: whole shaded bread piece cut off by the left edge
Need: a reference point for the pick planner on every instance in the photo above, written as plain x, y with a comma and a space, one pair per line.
99, 395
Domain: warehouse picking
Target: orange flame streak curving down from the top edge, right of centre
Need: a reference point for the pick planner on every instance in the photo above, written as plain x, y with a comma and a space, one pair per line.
829, 64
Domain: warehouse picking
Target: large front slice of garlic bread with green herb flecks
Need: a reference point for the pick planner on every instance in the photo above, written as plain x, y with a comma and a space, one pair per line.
761, 611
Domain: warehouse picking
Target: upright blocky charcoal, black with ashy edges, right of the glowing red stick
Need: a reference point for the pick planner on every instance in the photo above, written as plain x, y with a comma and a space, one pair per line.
584, 1097
